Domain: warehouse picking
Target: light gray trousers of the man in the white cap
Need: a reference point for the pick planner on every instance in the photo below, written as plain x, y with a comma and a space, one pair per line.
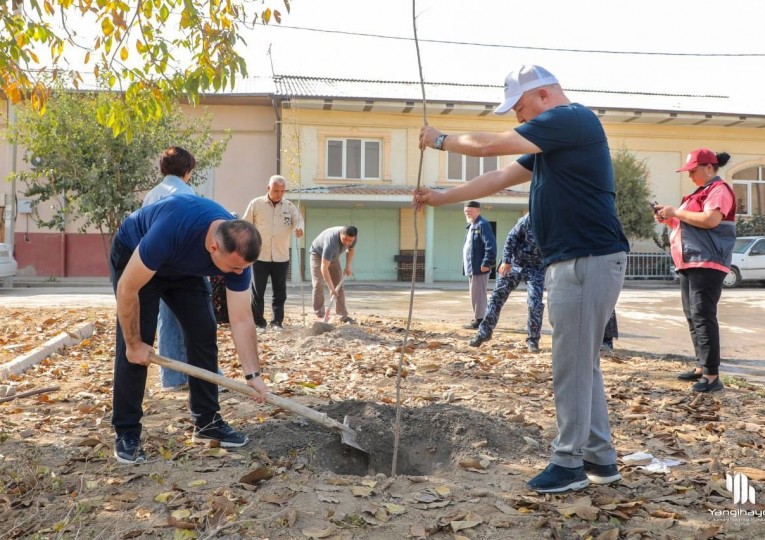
581, 295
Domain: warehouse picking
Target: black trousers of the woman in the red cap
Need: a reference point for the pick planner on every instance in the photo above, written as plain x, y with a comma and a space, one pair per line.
700, 289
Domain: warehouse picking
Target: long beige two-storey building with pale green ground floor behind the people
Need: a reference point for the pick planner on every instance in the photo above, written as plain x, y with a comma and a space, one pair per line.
349, 150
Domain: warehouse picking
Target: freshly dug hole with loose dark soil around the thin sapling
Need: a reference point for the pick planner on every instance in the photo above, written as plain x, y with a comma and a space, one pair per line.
432, 438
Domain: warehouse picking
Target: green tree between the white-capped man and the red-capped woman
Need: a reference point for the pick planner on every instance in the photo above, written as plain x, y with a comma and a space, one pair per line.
633, 197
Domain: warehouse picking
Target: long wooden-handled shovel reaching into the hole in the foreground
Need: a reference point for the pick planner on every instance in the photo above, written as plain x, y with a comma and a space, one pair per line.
347, 435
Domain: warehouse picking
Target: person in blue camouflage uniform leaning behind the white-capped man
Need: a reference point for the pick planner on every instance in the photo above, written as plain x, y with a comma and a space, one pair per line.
520, 259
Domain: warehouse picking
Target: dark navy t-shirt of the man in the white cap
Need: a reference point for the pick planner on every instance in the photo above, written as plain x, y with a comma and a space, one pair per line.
572, 200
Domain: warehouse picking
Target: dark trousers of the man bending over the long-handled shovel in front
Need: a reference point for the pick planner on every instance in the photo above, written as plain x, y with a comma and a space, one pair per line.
189, 298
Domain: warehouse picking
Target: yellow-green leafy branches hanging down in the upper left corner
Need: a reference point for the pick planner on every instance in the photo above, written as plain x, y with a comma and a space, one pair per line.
154, 51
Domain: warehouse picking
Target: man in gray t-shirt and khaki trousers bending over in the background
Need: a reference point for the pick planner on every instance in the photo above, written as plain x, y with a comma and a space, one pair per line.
325, 268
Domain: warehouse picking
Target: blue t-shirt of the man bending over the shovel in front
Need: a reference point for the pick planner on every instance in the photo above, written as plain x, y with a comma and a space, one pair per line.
170, 236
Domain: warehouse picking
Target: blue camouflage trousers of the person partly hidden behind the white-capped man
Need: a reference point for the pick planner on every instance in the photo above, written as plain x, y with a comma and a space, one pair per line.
535, 282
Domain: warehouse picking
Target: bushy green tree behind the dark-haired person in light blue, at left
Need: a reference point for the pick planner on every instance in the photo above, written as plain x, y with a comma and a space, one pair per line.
88, 175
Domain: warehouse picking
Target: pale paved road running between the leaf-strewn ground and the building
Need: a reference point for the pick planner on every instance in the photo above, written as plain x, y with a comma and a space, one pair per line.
650, 315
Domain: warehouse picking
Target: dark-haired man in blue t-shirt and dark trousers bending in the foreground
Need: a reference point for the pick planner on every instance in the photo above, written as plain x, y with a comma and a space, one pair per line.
165, 250
